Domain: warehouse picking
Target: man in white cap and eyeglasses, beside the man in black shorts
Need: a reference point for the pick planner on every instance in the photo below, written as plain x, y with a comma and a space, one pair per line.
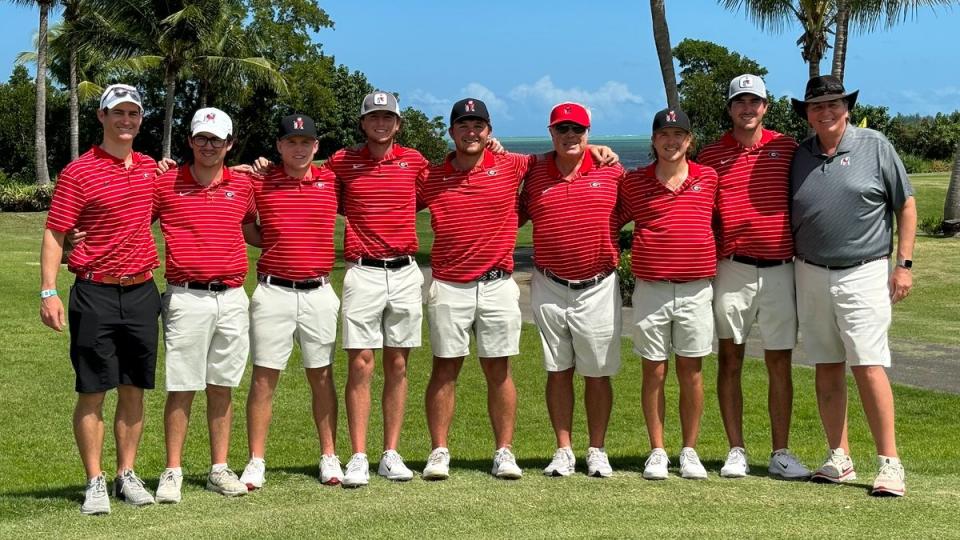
203, 207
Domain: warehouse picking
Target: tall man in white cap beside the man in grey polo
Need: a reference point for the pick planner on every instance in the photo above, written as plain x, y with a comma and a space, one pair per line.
754, 280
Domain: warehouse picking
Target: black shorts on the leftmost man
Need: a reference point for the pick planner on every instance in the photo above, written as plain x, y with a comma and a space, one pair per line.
113, 335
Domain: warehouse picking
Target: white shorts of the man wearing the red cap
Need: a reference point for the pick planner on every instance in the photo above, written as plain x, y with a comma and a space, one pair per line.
578, 328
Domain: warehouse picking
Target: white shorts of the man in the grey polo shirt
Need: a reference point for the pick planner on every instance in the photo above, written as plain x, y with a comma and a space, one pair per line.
845, 314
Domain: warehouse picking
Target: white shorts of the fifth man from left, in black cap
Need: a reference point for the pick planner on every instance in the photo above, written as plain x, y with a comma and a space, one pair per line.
490, 309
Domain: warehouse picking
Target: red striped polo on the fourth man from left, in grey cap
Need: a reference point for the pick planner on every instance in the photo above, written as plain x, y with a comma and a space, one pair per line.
379, 201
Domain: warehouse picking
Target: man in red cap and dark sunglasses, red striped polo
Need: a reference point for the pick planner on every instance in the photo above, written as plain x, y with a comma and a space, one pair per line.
575, 292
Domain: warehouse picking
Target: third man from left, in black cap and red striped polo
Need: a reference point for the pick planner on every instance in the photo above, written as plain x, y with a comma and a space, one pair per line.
297, 205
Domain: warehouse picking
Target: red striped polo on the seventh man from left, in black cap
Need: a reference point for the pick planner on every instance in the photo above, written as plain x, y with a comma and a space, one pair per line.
673, 236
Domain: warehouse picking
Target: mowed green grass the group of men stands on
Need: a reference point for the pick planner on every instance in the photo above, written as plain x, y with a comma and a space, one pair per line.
42, 480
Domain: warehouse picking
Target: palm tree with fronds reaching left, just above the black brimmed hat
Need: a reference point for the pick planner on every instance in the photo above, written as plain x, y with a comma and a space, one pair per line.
816, 17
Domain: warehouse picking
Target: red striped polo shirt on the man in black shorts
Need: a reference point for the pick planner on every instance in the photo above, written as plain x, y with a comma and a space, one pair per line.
99, 195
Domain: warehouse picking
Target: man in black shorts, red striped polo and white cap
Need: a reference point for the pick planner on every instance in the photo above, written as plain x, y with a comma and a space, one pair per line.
114, 304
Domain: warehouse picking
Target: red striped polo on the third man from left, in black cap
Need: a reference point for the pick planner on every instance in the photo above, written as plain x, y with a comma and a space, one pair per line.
297, 220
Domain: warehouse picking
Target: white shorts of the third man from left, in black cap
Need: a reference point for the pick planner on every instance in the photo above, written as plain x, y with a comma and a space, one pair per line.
280, 315
